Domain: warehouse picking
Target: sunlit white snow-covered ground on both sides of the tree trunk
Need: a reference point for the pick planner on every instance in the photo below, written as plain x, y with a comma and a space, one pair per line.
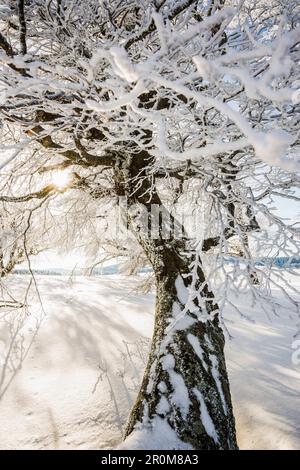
79, 378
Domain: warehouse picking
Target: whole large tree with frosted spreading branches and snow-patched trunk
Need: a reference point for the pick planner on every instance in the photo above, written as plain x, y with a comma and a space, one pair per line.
161, 103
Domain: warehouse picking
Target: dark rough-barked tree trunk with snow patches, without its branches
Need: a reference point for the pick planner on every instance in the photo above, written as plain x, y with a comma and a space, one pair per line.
185, 384
